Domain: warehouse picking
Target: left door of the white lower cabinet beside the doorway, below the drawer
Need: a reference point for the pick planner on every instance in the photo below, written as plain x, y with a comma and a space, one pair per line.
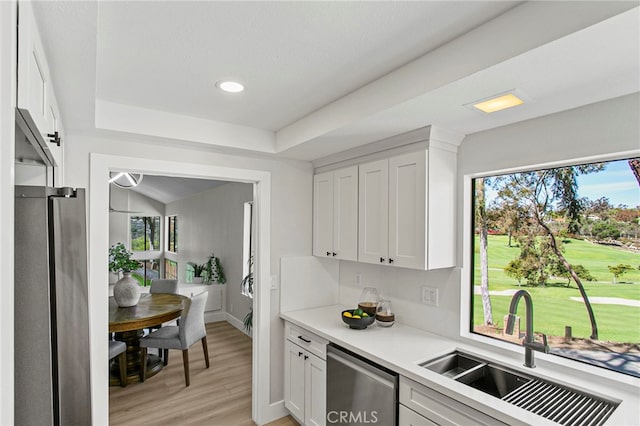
294, 377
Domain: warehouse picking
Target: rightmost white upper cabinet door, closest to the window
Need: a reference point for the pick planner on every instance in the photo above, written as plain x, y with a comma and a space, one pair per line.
407, 194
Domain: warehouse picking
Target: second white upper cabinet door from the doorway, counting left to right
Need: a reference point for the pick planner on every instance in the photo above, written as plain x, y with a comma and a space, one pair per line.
345, 213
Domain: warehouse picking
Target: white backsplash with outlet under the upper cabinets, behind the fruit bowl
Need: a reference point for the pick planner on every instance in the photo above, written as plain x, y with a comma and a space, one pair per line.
404, 288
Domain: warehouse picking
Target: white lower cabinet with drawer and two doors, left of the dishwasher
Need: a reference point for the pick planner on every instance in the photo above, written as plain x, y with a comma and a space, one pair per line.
305, 377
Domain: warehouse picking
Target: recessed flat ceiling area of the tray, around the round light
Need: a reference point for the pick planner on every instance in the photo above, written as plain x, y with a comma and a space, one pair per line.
293, 57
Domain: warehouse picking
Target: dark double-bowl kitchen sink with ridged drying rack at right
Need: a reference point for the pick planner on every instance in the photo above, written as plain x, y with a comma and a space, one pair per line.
550, 400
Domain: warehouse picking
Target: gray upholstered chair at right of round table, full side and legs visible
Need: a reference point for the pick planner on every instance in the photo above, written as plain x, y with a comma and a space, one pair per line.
183, 336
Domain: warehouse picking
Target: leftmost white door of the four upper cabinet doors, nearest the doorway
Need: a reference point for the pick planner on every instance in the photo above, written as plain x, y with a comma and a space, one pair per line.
323, 214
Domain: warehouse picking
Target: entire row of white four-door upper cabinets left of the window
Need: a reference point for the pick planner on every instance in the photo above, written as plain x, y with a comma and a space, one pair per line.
394, 206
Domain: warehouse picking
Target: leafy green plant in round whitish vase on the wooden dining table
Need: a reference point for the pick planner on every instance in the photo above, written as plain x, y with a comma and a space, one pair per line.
126, 291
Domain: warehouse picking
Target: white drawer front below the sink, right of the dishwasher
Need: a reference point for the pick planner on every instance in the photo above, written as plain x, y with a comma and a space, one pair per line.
439, 408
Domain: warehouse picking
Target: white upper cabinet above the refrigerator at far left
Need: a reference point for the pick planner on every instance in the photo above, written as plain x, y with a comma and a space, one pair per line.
38, 112
